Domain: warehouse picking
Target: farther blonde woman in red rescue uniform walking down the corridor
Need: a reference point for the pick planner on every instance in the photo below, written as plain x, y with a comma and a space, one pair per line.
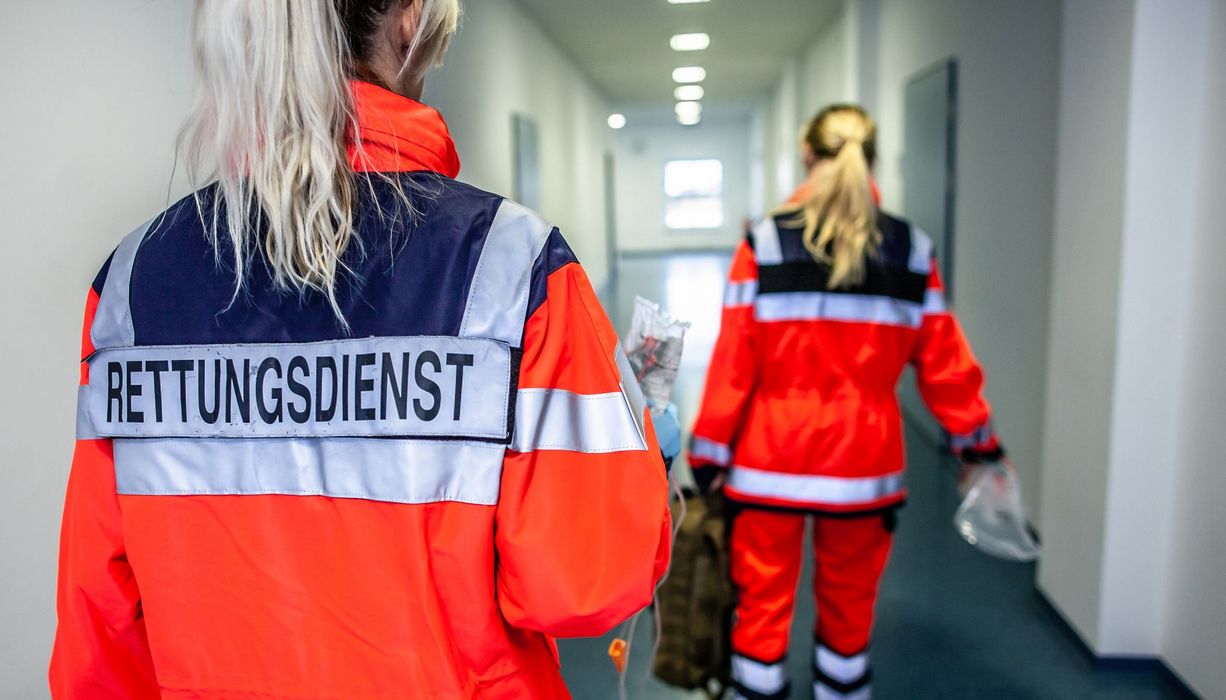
829, 300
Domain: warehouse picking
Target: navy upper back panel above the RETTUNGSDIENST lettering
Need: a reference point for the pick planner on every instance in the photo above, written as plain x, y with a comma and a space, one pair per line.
410, 275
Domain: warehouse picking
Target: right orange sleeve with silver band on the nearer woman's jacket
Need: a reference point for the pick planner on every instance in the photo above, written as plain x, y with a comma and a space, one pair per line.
583, 524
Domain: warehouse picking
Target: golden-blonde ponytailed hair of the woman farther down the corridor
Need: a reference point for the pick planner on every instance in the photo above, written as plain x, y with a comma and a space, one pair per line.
840, 215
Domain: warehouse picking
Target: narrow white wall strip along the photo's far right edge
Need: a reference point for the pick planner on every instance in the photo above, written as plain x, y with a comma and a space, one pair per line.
1196, 614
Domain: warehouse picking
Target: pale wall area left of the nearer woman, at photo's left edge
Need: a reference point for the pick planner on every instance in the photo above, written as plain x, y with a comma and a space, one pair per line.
93, 96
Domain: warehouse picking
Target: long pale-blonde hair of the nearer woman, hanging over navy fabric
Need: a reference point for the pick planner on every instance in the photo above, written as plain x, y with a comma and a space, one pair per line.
272, 122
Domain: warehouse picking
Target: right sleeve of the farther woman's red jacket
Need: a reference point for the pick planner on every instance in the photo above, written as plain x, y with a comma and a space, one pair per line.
952, 381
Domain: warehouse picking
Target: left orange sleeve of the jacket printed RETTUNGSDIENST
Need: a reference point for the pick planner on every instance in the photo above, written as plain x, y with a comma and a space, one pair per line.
101, 647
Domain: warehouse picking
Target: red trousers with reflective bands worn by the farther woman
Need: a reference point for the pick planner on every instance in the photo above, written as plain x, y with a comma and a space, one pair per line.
850, 556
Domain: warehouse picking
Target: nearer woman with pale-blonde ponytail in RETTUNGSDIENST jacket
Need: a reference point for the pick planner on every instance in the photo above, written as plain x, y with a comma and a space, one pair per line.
348, 428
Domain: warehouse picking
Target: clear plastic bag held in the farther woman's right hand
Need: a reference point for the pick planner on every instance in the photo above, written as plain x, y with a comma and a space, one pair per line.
992, 517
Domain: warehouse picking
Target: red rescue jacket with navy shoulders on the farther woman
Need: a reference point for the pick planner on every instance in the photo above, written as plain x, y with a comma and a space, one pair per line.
801, 398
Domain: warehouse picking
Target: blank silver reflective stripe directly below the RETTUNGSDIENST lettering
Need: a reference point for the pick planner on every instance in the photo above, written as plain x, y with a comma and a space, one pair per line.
394, 471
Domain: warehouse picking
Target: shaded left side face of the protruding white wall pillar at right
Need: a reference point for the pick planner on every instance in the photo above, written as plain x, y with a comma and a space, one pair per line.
1095, 93
